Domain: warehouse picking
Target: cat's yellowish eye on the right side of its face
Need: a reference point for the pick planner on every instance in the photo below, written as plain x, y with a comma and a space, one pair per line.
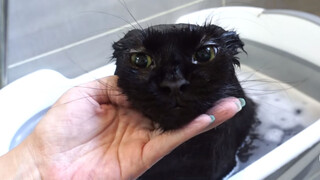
204, 54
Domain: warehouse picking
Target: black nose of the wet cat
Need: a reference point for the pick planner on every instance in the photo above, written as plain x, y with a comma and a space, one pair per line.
178, 86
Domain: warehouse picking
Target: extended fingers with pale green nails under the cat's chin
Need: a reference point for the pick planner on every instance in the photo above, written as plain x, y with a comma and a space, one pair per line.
161, 145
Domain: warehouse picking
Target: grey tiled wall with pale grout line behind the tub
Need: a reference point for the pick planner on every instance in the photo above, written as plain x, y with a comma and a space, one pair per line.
75, 36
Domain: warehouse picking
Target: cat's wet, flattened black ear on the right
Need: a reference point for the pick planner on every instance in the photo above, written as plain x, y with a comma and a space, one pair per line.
233, 44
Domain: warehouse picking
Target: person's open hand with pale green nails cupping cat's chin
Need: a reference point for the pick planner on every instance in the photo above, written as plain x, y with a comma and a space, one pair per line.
92, 133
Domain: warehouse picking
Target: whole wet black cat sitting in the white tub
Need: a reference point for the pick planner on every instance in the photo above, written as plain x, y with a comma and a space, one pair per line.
172, 74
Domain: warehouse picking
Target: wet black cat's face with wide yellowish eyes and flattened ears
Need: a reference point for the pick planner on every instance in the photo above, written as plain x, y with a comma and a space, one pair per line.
173, 73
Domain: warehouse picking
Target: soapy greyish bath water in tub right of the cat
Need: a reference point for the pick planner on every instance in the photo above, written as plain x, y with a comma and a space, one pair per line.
282, 112
